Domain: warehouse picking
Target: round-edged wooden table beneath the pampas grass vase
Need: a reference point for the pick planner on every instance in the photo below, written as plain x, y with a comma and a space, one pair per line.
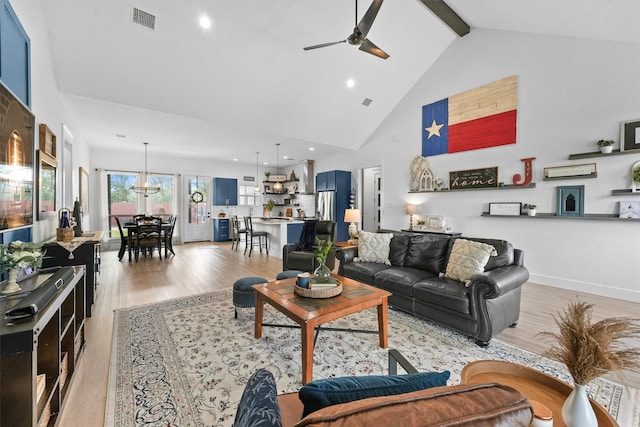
535, 385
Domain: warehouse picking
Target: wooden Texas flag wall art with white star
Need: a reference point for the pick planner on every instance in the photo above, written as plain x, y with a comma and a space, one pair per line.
480, 118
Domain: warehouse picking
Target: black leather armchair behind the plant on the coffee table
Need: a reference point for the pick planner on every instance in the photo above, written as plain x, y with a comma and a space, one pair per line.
300, 256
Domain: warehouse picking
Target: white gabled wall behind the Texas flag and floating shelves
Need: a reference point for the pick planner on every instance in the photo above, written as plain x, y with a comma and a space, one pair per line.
571, 93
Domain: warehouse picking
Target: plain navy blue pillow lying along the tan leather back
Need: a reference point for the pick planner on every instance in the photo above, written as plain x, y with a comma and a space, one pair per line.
332, 391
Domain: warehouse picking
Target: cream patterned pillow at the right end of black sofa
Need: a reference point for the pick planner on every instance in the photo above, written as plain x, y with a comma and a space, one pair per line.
468, 259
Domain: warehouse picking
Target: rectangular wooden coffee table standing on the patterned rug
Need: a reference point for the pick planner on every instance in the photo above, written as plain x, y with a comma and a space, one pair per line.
310, 313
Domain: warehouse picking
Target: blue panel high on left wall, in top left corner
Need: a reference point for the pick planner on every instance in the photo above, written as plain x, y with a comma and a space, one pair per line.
15, 55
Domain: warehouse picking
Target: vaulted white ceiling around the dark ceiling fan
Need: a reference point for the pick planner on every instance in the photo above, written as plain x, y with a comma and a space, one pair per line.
246, 83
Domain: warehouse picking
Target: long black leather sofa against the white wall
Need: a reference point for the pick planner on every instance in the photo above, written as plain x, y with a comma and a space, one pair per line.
489, 303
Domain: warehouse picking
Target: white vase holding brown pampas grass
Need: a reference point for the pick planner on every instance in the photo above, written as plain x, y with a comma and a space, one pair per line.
590, 350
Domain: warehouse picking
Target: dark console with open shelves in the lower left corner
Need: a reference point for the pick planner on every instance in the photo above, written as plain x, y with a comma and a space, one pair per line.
39, 354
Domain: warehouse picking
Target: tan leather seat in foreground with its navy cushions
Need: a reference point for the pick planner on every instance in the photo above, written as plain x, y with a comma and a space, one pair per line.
417, 399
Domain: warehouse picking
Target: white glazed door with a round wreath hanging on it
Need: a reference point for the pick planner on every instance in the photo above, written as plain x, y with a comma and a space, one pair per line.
197, 206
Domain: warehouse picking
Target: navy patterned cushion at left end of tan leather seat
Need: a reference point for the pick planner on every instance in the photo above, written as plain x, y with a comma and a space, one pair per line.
258, 405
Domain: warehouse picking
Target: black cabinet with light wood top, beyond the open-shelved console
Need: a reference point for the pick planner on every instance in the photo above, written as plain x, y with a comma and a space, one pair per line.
87, 253
